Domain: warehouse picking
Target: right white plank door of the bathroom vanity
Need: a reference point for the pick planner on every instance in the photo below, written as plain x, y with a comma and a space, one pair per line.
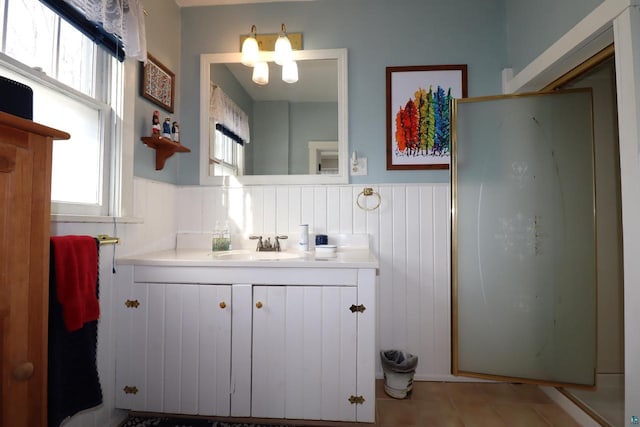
304, 352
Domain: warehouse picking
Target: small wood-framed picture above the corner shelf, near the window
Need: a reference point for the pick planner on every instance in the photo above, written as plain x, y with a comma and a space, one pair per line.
157, 83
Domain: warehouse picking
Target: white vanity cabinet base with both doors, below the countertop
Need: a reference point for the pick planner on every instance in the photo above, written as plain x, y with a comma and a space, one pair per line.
267, 340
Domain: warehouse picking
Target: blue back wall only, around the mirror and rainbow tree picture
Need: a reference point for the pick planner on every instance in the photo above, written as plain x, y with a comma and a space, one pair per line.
377, 34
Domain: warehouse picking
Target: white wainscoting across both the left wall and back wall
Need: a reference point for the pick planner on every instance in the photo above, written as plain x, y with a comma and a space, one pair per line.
409, 234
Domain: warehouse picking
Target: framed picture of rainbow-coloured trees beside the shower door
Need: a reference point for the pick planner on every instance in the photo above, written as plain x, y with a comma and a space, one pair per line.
418, 114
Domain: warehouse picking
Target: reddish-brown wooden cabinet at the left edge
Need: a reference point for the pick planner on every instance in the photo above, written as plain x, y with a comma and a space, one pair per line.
25, 188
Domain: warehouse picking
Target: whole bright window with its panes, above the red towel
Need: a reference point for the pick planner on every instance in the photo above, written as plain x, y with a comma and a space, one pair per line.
76, 85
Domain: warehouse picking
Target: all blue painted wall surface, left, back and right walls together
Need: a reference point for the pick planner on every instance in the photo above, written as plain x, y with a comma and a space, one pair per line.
488, 36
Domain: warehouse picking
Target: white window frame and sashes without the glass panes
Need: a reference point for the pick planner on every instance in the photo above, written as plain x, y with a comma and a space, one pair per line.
113, 83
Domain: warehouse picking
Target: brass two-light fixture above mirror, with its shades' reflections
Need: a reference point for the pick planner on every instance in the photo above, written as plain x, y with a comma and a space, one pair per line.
283, 55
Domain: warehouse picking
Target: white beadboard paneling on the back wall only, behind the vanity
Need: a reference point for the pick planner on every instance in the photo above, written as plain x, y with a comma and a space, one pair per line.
409, 233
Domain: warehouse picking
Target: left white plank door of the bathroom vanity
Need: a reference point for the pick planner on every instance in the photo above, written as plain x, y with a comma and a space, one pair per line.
174, 350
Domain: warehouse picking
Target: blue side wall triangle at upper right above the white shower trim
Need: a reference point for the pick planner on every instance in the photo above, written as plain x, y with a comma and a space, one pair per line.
533, 26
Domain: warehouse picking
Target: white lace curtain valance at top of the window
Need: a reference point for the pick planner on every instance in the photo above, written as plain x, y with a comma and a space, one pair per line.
124, 18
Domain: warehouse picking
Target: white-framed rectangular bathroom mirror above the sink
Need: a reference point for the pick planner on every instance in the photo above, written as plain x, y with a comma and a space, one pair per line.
310, 110
